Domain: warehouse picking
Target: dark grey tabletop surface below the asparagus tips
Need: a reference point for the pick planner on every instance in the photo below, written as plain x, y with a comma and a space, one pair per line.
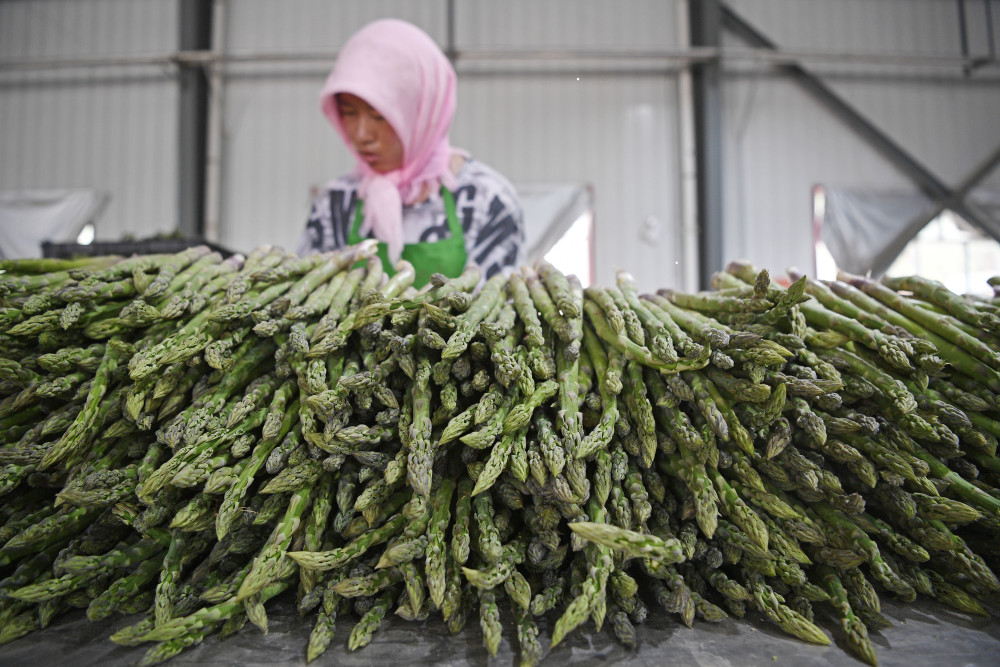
925, 633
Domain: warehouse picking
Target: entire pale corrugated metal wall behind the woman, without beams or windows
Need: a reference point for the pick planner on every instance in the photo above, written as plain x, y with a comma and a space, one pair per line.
563, 105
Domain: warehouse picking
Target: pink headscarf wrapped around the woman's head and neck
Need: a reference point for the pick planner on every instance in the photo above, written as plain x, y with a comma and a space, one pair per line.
399, 70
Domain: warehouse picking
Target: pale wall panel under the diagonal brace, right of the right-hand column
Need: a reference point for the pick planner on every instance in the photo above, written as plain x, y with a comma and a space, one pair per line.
778, 145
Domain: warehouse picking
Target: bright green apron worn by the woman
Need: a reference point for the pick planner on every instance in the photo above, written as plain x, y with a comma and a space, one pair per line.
446, 256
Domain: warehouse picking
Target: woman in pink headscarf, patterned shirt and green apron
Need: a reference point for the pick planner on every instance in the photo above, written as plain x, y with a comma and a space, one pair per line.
391, 96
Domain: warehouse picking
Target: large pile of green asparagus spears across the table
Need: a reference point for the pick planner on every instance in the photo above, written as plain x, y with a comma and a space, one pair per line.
186, 437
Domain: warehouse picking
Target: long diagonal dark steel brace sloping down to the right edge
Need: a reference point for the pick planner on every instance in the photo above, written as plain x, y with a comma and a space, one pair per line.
930, 184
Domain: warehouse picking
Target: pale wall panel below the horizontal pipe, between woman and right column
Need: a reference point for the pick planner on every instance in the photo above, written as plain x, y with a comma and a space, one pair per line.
617, 134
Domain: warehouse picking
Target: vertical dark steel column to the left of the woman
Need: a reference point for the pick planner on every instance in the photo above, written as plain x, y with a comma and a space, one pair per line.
195, 35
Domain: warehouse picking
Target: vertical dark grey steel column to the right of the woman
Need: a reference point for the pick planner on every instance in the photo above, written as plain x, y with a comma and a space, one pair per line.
706, 31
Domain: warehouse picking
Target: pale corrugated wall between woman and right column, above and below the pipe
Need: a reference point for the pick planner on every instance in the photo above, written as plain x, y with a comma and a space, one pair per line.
612, 126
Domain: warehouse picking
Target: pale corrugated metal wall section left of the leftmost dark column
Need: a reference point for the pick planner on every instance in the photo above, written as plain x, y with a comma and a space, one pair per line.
111, 128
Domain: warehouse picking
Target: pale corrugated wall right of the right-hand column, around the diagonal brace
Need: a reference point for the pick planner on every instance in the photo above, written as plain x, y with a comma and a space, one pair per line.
779, 142
